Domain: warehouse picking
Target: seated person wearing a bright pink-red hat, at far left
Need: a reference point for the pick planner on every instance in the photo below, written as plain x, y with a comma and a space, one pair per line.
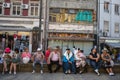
6, 59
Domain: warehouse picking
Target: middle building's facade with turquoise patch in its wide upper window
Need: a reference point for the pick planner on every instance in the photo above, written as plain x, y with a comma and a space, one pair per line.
71, 24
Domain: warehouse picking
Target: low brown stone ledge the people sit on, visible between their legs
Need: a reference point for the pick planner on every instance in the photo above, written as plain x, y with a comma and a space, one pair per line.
28, 68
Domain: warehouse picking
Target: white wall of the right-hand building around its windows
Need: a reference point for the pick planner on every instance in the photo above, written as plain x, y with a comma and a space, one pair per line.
111, 17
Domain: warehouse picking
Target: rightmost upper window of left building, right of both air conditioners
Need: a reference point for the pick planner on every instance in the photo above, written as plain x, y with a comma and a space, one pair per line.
34, 8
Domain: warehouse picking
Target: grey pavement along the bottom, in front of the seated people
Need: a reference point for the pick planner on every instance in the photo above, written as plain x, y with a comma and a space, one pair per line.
58, 76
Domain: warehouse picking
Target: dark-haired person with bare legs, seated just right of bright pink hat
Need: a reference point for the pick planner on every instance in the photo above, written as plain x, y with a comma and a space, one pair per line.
14, 61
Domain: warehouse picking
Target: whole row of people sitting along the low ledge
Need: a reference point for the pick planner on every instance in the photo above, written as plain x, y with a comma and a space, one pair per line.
72, 61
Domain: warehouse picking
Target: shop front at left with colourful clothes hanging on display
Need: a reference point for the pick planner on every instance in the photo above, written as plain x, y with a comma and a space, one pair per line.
14, 38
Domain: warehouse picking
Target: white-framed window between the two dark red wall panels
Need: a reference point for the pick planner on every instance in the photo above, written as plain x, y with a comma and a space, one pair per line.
16, 8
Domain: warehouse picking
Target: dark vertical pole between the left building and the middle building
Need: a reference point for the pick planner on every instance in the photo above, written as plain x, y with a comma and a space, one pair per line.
40, 23
